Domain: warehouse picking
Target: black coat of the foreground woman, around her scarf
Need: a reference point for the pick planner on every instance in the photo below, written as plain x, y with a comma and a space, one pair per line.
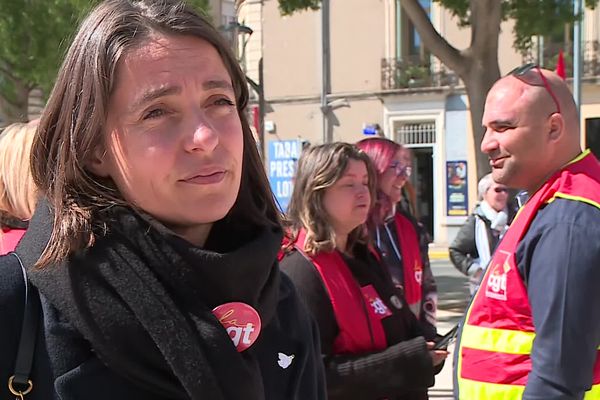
67, 367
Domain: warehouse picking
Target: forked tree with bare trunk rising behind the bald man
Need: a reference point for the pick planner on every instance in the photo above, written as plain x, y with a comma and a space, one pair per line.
477, 65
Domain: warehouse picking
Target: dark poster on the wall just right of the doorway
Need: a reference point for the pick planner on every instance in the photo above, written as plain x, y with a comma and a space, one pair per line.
457, 191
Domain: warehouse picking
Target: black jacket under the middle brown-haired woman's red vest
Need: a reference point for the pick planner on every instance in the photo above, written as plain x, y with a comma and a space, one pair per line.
402, 371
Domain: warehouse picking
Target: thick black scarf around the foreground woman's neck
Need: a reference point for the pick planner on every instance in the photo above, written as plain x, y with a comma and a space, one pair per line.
143, 296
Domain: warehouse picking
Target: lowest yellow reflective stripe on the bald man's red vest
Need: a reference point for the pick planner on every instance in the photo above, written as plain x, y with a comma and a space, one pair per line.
471, 390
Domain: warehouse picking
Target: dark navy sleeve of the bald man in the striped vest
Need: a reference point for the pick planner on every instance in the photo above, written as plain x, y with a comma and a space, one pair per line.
559, 258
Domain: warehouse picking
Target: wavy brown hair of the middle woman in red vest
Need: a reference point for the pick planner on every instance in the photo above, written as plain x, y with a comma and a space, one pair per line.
319, 168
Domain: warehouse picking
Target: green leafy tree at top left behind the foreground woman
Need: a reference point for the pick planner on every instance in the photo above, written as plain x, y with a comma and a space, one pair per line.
35, 35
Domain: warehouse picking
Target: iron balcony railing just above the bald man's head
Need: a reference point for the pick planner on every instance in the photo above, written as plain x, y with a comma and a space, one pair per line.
590, 54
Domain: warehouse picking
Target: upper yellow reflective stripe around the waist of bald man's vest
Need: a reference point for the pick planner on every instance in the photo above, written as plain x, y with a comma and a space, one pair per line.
497, 340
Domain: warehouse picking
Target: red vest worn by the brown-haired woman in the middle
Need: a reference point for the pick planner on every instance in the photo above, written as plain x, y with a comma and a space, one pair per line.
358, 311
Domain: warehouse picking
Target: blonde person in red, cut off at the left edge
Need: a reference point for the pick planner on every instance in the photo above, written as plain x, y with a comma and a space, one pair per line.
18, 192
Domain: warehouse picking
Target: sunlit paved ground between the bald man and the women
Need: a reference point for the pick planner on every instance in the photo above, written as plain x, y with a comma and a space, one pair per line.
453, 293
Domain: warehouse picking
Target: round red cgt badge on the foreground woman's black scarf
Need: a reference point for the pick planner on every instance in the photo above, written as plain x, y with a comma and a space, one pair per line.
241, 322
